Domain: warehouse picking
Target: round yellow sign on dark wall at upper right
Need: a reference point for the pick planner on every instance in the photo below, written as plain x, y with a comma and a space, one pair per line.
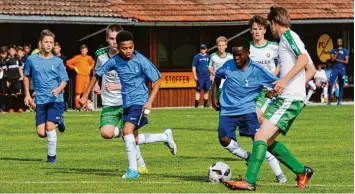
324, 46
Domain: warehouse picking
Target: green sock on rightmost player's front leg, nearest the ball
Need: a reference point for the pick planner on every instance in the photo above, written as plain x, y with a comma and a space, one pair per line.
256, 159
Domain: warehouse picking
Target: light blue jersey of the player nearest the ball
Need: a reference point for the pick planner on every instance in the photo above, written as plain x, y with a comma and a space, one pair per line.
242, 86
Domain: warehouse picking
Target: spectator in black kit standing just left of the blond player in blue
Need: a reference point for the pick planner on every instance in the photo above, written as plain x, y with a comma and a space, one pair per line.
14, 78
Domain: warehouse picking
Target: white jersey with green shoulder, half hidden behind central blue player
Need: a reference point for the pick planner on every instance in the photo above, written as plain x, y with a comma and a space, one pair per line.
109, 98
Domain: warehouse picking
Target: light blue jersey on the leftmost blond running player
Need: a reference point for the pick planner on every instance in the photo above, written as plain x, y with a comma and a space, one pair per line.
47, 75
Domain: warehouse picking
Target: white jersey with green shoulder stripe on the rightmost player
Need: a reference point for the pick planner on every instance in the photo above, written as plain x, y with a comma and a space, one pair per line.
290, 47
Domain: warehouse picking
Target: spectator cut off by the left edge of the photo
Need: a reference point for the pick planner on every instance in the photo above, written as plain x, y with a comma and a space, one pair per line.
3, 79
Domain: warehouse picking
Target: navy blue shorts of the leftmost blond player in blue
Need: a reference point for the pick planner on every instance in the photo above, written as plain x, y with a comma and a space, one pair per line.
52, 111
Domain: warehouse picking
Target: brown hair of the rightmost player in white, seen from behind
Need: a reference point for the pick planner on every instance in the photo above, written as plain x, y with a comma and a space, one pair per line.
280, 16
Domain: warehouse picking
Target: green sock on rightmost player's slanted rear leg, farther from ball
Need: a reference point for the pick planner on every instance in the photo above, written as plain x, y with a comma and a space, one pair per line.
280, 151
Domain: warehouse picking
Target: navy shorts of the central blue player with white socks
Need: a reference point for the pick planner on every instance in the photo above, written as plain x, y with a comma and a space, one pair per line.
134, 114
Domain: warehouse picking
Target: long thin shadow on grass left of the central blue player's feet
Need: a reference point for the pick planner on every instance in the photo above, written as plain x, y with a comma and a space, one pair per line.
93, 171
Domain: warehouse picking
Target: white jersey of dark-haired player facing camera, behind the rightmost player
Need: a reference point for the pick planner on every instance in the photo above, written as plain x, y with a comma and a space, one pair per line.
265, 55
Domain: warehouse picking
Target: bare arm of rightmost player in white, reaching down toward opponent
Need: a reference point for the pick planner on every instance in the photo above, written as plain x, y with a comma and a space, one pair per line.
302, 61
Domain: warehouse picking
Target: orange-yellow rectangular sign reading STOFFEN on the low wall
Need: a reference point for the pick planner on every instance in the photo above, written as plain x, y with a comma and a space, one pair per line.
177, 80
